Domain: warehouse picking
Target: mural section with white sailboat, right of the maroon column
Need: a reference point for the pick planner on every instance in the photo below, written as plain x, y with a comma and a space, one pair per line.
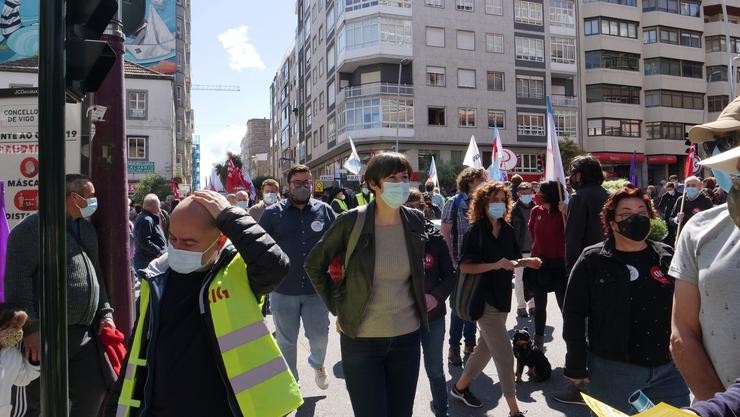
150, 27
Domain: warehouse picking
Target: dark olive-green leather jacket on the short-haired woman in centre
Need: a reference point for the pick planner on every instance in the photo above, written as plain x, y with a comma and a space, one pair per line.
349, 298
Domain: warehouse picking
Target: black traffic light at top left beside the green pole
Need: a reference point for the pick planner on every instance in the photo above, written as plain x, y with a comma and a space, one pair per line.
88, 59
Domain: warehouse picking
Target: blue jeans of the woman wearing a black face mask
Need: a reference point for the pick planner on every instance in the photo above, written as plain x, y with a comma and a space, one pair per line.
612, 382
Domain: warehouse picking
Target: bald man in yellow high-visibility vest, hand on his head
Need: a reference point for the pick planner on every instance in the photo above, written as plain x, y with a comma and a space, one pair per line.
200, 344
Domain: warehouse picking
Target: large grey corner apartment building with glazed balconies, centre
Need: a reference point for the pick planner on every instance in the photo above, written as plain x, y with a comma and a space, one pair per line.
423, 77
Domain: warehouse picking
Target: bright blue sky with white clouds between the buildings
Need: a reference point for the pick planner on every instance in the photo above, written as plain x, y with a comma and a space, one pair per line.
235, 42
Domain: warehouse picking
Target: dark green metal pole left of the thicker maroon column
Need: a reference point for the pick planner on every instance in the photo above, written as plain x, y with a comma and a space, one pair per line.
52, 213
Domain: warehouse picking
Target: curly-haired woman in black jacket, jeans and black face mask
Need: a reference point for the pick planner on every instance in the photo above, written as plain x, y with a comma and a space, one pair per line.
621, 290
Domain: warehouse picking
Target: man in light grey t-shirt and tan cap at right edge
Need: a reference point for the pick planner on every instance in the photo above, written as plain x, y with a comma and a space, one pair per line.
706, 320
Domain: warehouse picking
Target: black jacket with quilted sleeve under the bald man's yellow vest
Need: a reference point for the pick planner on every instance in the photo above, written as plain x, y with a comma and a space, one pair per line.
267, 265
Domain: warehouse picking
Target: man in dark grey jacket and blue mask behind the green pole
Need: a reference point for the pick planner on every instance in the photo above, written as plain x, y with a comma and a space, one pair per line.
88, 310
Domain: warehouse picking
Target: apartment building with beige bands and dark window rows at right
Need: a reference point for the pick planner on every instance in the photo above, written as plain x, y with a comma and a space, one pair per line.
645, 81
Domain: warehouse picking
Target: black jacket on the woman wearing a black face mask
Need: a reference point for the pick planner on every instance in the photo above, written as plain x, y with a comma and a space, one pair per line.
598, 293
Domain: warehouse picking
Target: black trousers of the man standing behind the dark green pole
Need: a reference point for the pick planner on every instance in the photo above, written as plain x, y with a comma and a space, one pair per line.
86, 383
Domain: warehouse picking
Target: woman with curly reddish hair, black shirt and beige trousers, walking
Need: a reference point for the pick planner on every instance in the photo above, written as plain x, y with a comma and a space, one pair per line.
490, 249
